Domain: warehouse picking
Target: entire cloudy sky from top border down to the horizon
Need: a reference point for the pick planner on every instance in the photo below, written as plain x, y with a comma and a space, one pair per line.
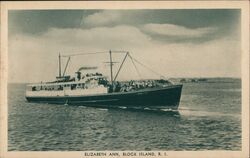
172, 42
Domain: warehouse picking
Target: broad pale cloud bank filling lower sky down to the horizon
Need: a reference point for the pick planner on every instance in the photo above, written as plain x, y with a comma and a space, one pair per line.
34, 58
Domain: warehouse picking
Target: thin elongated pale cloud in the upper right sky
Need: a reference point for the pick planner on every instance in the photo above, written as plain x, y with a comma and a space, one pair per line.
176, 30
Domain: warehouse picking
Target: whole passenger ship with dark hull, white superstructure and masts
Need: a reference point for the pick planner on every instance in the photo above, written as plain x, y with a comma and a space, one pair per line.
95, 89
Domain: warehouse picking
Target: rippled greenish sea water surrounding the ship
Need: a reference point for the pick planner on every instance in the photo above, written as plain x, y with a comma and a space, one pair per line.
209, 118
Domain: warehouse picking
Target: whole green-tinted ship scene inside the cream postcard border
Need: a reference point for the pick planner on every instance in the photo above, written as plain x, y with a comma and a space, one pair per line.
124, 79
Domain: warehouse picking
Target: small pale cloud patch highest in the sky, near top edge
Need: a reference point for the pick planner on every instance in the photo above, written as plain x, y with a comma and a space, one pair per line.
101, 18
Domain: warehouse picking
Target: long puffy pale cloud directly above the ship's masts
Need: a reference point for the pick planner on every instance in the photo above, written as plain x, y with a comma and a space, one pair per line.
121, 36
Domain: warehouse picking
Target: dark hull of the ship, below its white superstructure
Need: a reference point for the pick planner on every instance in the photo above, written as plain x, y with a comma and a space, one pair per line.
164, 97
